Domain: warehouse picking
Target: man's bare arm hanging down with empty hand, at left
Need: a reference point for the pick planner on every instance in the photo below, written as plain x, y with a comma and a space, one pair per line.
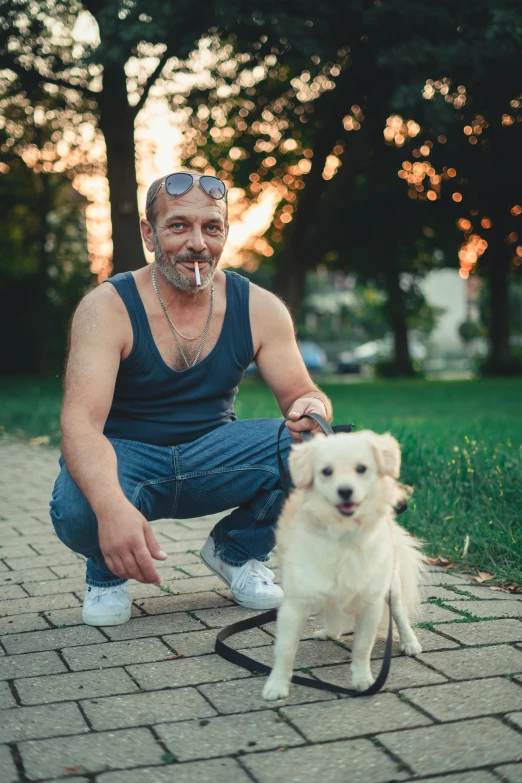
97, 340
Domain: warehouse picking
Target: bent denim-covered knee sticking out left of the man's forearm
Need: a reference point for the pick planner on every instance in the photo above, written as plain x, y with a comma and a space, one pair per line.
73, 519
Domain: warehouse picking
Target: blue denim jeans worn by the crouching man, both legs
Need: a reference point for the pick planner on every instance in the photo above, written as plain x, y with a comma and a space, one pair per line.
234, 465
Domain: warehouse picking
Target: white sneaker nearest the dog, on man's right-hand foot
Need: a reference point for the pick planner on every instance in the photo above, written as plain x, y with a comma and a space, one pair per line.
251, 584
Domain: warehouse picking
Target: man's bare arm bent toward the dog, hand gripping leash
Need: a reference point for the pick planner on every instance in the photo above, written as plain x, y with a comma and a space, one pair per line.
281, 365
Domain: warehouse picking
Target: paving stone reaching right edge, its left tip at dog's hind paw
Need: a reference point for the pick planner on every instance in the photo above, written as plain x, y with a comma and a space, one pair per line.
474, 662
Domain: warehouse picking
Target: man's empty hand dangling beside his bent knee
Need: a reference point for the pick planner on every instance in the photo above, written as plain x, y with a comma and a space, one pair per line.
128, 544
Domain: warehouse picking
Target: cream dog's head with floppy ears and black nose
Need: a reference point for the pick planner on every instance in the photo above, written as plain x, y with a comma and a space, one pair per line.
348, 468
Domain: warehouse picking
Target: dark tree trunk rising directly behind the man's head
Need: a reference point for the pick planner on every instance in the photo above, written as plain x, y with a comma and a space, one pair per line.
117, 125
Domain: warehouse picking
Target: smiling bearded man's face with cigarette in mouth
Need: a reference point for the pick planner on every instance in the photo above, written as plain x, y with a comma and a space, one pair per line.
187, 228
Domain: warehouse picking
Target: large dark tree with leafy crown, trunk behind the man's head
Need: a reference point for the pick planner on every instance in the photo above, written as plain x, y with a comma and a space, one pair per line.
40, 46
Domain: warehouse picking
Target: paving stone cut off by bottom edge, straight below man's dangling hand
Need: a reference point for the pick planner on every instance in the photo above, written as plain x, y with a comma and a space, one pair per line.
215, 771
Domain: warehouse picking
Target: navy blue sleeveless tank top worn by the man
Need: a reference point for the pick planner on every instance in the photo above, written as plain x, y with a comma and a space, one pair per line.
155, 404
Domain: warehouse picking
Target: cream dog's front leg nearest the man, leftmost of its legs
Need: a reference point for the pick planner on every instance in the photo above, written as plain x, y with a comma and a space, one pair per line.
290, 620
